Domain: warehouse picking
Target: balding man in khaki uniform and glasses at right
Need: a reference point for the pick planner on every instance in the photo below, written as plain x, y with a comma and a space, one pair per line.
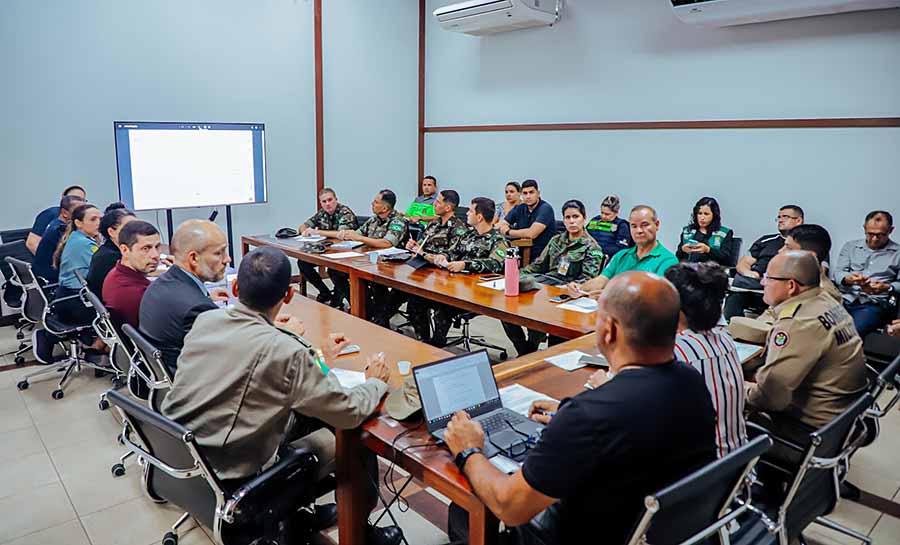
814, 365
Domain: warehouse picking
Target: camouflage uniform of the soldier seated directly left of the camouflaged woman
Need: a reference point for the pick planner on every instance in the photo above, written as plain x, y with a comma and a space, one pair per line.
481, 254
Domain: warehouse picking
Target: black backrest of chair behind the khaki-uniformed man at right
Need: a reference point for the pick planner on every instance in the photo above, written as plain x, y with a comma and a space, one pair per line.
814, 491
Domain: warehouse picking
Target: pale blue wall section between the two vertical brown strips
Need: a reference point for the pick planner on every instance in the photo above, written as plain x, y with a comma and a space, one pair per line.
370, 64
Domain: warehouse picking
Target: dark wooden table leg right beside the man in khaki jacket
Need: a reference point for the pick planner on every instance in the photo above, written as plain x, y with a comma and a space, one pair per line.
351, 485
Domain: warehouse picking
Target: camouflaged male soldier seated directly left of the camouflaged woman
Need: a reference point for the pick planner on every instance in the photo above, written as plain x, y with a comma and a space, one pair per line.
480, 250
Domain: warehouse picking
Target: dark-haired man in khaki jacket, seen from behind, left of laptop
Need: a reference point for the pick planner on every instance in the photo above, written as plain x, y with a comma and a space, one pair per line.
249, 385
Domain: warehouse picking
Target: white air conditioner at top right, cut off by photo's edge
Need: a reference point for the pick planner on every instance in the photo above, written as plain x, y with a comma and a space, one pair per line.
741, 12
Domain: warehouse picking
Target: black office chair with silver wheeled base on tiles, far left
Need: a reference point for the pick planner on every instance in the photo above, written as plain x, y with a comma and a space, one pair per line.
38, 307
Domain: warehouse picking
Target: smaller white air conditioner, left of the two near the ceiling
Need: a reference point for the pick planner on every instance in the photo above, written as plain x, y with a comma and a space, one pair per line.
479, 17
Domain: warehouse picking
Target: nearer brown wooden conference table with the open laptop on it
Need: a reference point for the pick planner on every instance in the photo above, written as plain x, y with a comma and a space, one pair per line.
432, 465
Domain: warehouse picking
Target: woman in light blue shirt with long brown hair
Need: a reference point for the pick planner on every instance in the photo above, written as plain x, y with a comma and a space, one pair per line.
74, 253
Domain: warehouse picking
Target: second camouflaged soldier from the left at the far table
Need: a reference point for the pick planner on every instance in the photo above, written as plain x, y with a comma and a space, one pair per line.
386, 228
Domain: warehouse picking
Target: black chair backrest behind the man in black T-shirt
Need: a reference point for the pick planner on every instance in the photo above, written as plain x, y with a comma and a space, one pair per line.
701, 503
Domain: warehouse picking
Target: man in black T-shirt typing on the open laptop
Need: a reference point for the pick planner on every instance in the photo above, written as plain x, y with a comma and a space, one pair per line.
605, 449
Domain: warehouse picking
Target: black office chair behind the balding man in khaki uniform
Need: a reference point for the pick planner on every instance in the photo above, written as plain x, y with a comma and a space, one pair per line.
813, 489
